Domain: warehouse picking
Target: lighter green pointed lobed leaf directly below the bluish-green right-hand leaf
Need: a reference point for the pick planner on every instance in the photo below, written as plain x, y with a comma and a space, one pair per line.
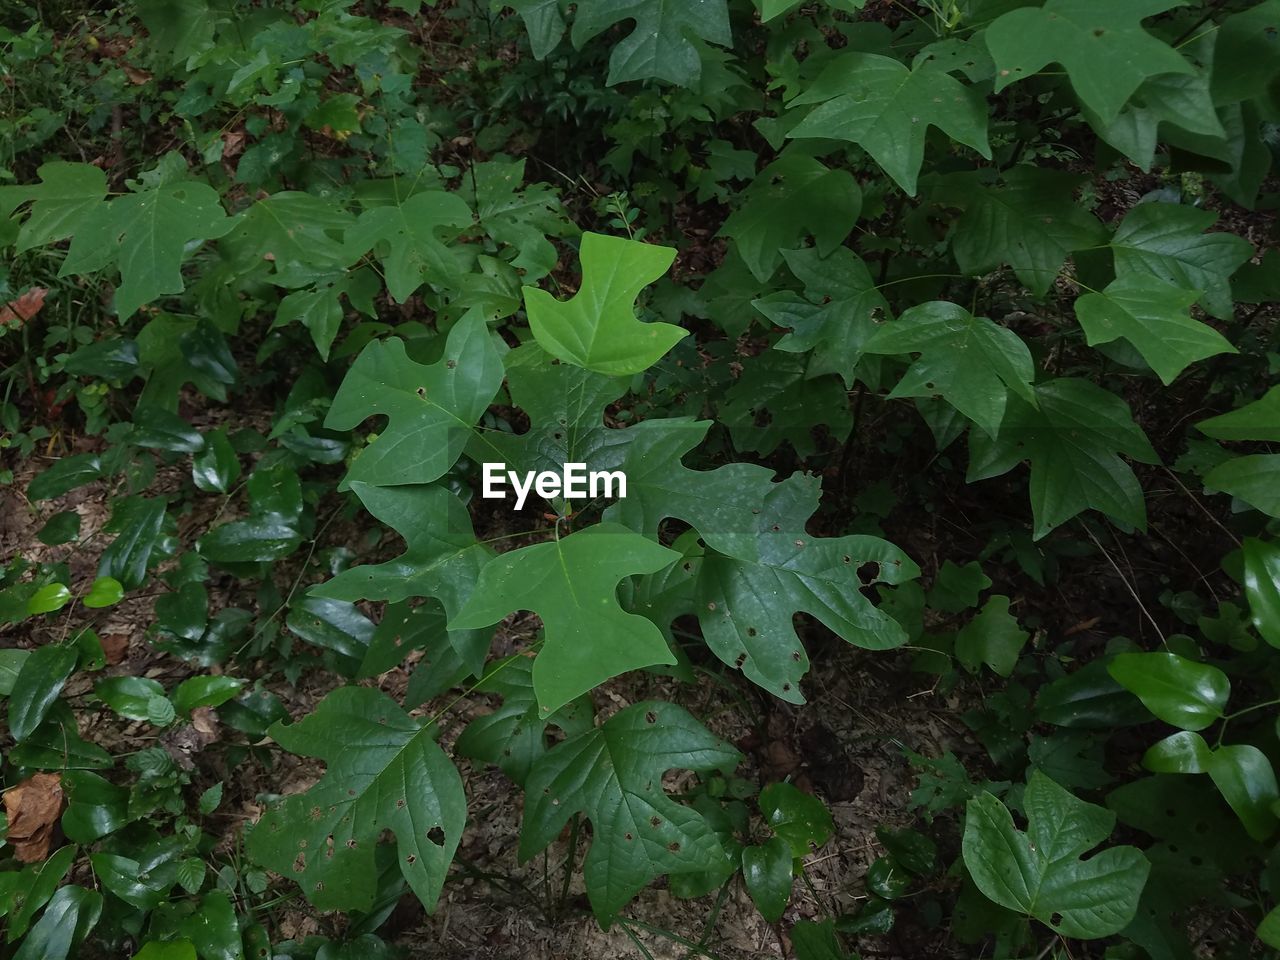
1154, 317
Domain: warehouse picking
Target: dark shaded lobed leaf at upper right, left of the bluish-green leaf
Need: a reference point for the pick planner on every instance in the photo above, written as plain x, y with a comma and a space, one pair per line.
1031, 222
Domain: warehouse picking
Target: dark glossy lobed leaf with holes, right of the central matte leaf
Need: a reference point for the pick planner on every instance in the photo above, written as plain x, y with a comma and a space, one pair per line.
747, 606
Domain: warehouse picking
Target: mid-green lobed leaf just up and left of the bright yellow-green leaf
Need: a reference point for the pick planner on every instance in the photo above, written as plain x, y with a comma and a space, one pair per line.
410, 230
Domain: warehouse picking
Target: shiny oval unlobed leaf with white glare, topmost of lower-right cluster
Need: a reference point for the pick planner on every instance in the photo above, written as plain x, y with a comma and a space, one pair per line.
1177, 691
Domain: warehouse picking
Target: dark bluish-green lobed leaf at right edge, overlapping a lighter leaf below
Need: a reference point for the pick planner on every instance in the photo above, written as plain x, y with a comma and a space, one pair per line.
1168, 241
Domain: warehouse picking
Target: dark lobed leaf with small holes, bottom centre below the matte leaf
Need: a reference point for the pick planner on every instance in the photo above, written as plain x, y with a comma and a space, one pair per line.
614, 775
